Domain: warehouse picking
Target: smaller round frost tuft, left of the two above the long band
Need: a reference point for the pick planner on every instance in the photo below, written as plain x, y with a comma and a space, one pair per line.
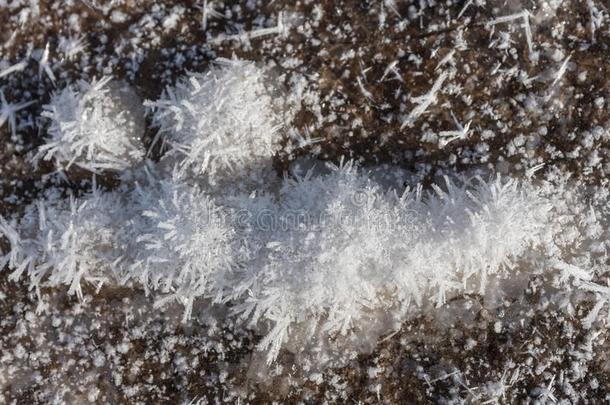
96, 126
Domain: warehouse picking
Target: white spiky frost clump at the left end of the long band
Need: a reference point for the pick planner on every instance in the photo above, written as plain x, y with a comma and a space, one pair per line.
65, 242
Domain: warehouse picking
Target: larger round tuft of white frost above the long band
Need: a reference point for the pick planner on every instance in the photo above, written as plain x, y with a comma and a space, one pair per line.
219, 121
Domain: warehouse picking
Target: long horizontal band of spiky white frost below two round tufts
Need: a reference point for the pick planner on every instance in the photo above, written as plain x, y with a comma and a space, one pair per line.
325, 256
